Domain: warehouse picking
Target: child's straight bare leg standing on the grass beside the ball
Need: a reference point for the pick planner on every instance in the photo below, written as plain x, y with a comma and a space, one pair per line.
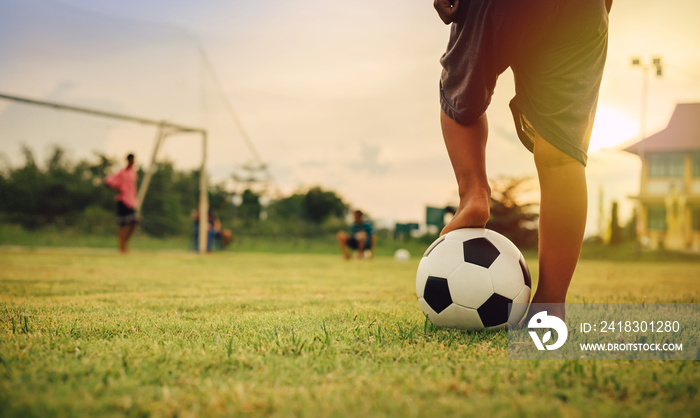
563, 207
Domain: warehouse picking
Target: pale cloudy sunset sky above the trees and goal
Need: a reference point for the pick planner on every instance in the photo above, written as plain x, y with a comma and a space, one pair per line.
332, 94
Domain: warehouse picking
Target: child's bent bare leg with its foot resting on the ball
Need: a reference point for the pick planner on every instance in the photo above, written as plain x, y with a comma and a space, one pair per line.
466, 146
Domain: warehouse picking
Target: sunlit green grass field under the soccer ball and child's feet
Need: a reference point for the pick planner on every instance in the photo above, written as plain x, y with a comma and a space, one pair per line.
85, 332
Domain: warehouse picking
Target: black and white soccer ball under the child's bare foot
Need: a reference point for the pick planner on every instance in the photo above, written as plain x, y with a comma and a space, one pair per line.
468, 277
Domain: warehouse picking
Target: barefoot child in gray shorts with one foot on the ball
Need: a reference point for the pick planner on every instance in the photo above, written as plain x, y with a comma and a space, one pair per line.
557, 51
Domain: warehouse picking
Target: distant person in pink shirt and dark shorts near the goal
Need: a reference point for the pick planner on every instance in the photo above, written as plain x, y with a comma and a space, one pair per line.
124, 182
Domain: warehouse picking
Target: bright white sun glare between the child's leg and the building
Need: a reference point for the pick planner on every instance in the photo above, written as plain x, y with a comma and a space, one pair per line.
611, 128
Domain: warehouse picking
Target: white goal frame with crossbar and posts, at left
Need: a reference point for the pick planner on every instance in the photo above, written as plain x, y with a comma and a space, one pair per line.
164, 129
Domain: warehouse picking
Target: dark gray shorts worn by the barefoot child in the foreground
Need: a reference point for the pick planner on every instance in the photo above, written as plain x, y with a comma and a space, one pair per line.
556, 49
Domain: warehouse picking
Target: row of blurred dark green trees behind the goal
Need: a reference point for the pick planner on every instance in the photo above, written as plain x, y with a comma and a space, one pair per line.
67, 194
